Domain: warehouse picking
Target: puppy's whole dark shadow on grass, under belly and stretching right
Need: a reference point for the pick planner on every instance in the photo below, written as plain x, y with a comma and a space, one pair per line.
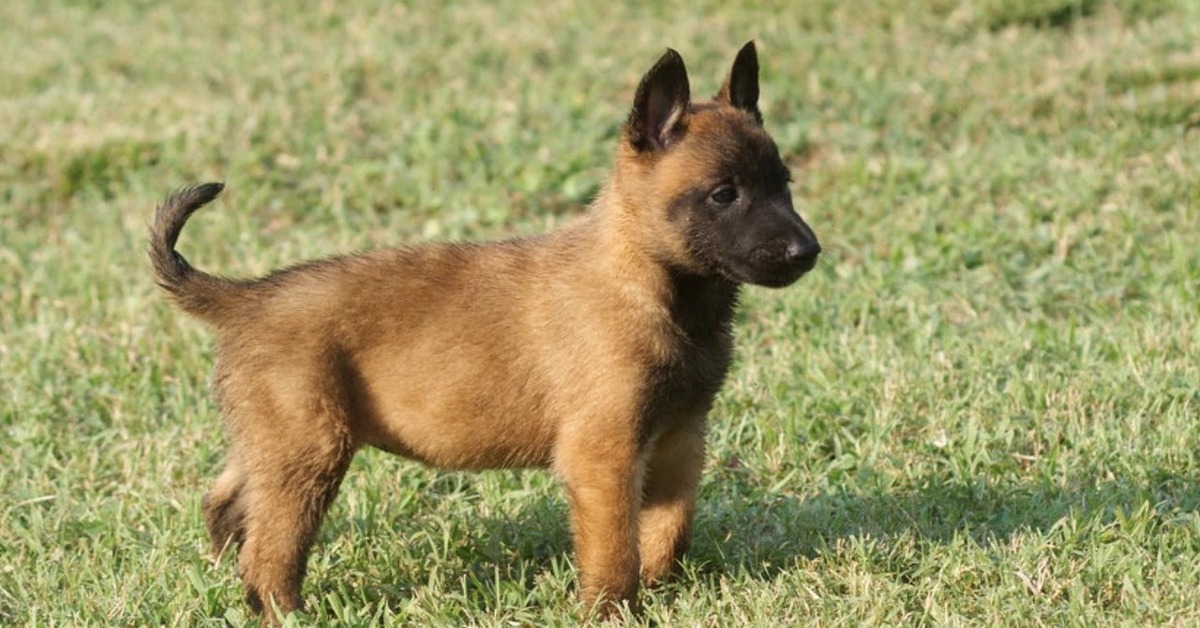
745, 531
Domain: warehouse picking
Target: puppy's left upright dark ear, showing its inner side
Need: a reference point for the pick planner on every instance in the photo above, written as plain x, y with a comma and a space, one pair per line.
661, 107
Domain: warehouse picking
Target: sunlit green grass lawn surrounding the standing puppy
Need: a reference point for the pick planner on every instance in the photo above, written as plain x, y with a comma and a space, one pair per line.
981, 409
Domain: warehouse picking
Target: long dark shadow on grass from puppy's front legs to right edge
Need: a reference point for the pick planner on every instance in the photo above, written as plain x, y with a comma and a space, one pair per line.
763, 536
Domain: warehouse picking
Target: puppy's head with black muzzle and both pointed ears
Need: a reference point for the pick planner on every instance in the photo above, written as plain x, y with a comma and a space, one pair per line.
710, 184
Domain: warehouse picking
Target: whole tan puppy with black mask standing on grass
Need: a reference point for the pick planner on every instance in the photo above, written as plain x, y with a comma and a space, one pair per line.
596, 350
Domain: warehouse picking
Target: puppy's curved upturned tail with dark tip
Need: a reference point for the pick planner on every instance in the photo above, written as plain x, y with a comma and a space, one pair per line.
194, 291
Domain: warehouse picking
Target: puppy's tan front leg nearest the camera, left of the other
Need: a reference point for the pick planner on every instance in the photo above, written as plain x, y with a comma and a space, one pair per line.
603, 479
